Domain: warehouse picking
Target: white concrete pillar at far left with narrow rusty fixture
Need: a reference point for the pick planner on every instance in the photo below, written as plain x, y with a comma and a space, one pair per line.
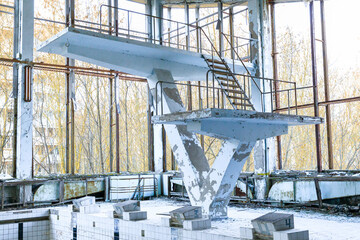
24, 154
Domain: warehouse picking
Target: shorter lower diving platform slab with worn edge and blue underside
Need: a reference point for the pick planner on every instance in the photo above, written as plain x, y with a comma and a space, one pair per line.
241, 125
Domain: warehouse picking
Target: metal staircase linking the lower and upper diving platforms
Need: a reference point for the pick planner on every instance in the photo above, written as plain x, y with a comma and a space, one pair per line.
229, 84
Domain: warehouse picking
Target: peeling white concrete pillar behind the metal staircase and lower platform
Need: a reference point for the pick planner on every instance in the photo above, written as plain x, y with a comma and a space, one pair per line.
260, 56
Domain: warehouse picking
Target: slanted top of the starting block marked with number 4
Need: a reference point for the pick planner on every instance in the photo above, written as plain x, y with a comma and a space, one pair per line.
271, 222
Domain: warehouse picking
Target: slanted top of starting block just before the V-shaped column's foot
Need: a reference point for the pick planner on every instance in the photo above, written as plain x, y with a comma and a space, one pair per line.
178, 216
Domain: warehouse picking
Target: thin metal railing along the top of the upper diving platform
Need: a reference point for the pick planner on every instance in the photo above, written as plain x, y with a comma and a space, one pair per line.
171, 33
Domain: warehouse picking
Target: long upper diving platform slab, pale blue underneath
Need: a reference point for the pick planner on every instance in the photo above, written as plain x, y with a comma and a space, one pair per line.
130, 56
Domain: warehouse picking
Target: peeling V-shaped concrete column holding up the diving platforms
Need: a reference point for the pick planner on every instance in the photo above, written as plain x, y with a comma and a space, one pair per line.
207, 187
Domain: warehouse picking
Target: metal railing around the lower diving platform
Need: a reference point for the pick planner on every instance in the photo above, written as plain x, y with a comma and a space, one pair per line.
210, 93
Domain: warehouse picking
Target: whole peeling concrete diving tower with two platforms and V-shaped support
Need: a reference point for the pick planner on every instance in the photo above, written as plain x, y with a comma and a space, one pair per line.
240, 128
